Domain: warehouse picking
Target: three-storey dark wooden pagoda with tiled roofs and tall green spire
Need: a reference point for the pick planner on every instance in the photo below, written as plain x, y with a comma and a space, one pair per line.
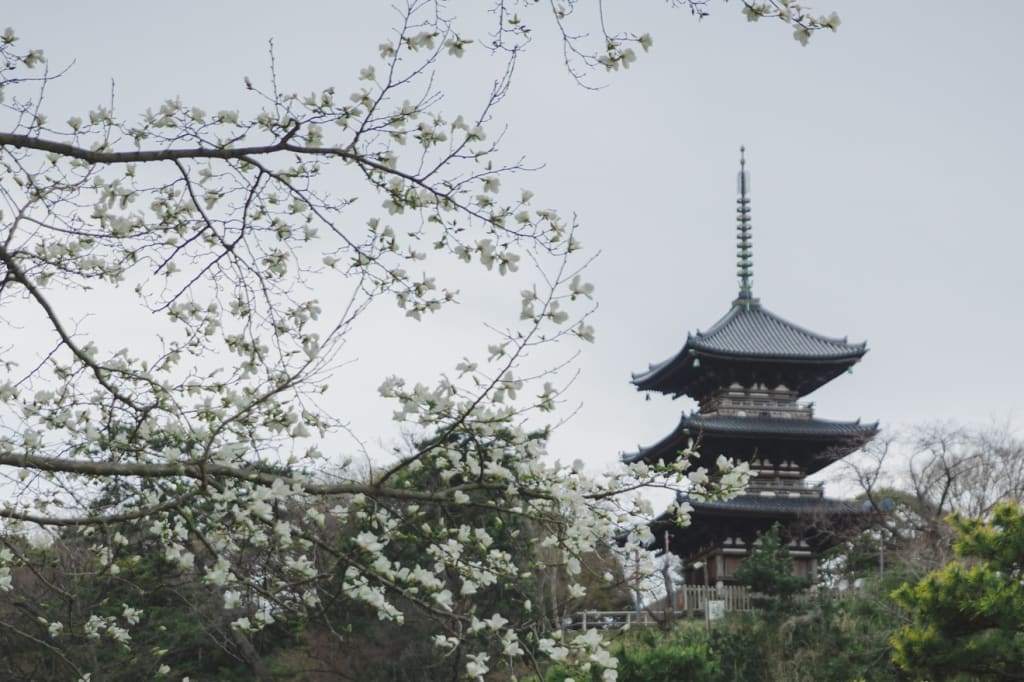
748, 374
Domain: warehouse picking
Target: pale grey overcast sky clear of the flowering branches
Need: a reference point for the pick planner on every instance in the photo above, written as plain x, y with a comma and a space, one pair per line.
884, 162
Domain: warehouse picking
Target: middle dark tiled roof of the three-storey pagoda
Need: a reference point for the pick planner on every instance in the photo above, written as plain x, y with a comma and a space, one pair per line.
820, 442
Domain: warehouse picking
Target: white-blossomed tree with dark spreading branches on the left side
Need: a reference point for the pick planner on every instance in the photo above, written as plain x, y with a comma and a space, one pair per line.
226, 242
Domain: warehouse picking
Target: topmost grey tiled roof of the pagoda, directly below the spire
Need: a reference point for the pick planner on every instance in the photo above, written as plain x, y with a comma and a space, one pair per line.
751, 334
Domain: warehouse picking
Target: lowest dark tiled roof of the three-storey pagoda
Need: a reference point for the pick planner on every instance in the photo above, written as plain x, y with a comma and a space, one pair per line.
747, 516
